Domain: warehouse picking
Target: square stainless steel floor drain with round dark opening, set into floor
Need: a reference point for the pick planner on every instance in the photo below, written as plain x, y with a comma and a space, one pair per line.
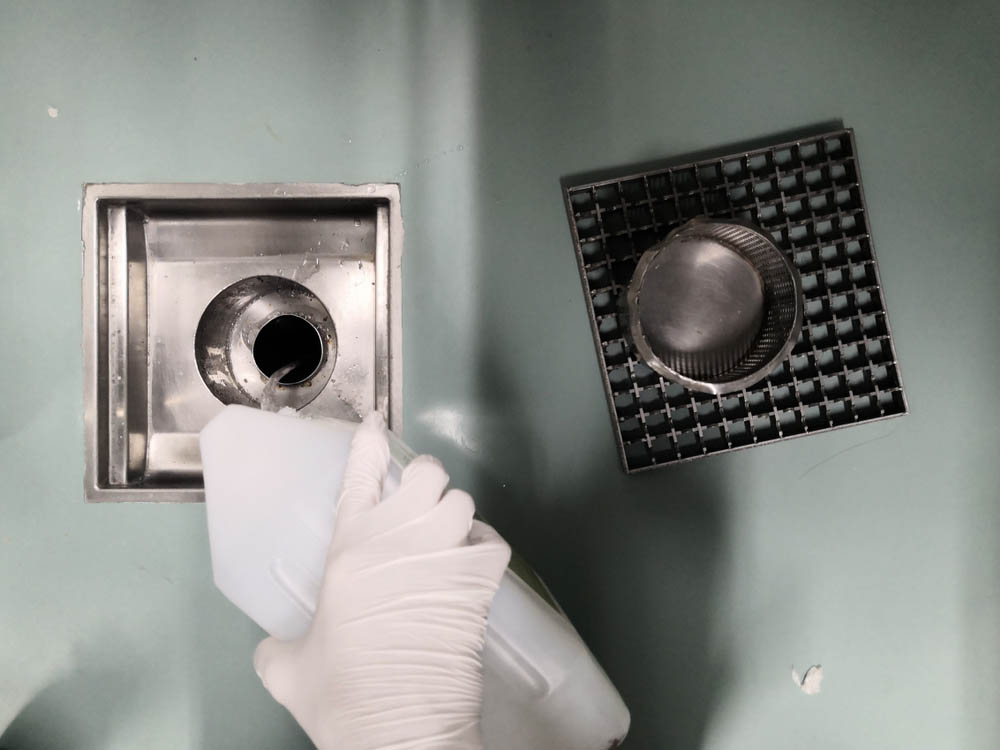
194, 294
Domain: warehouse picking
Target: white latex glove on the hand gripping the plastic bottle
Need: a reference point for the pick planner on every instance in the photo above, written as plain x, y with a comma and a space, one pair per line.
393, 657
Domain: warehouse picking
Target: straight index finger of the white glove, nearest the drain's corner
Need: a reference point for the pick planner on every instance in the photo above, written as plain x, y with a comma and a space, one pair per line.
367, 466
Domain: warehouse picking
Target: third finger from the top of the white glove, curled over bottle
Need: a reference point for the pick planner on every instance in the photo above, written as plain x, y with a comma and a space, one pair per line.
446, 525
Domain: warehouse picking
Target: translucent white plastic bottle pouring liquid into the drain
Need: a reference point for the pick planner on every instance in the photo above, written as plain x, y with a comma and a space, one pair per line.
271, 483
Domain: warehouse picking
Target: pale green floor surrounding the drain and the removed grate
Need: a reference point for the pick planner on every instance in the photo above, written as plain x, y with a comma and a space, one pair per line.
874, 550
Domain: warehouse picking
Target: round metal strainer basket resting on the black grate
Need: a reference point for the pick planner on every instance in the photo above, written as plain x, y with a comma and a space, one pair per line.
715, 306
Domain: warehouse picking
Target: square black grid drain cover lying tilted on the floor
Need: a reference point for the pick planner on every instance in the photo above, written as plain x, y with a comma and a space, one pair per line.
808, 195
